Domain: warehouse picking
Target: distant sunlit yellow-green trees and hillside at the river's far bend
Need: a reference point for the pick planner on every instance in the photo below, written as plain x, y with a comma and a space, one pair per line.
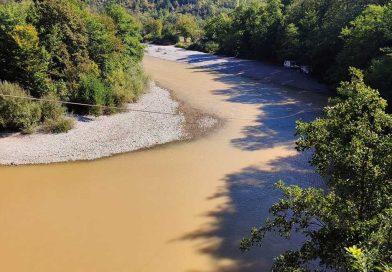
165, 21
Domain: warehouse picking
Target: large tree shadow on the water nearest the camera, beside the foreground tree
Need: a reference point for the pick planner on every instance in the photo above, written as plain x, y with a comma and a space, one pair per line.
248, 195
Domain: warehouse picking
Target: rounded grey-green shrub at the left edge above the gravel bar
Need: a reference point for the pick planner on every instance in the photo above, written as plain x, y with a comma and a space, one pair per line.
17, 113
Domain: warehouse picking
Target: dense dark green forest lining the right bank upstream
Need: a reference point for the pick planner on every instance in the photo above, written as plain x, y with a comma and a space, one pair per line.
328, 35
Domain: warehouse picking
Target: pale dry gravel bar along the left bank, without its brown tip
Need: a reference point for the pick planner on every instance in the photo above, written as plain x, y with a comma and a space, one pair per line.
96, 137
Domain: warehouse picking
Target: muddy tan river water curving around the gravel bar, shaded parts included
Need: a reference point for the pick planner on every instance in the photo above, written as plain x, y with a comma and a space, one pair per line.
180, 207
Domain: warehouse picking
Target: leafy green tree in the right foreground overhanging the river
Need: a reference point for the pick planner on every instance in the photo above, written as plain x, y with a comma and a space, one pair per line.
353, 152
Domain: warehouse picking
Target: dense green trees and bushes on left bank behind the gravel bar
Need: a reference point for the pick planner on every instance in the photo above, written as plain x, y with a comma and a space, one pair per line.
65, 50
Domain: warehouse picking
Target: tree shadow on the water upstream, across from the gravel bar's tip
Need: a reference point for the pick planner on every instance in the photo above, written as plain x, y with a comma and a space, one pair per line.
279, 109
